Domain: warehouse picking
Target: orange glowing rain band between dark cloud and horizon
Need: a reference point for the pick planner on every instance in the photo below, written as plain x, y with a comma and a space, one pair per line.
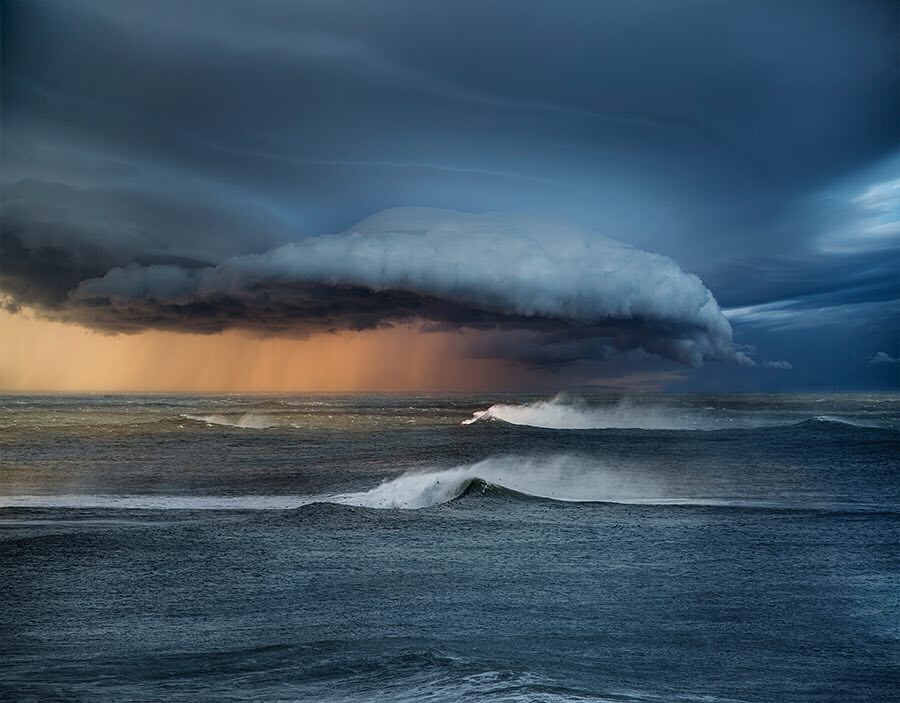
36, 355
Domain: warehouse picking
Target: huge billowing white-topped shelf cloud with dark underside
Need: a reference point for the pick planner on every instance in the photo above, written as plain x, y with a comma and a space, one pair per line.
547, 292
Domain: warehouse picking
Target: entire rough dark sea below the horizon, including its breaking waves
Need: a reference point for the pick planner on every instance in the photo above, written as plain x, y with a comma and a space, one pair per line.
377, 549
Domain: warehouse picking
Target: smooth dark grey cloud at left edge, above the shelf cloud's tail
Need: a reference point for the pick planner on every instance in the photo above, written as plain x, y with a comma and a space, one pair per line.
53, 235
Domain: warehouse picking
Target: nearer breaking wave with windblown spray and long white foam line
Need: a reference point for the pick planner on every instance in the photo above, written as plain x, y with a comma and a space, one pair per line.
504, 479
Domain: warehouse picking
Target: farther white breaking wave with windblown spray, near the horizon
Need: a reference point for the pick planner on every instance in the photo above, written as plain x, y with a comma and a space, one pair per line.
562, 413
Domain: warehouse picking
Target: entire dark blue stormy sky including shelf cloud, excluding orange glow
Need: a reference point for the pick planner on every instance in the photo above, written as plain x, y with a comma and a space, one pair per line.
755, 144
